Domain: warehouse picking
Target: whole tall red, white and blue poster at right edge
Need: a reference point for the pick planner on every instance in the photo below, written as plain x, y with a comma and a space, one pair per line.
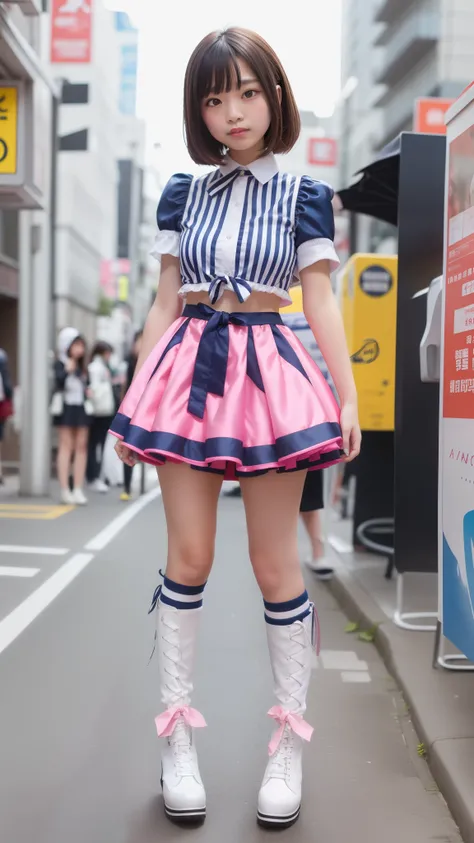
458, 400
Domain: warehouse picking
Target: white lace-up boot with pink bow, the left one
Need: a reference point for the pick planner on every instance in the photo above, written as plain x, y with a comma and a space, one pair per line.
183, 790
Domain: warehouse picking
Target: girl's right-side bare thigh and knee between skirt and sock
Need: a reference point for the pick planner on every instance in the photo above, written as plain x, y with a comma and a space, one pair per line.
272, 504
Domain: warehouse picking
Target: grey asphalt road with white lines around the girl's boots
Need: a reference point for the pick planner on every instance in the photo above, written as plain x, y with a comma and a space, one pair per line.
79, 757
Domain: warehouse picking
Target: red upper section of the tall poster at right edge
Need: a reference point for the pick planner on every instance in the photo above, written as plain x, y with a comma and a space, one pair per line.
458, 384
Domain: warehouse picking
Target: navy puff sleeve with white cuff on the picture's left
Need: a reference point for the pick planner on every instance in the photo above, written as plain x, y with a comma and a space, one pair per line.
169, 215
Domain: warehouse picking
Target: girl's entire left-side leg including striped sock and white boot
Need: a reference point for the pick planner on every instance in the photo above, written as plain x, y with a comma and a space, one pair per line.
190, 503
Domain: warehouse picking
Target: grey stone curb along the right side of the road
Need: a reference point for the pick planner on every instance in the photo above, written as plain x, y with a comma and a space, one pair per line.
361, 608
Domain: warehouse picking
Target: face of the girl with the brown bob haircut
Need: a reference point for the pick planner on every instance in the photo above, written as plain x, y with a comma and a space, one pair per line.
240, 118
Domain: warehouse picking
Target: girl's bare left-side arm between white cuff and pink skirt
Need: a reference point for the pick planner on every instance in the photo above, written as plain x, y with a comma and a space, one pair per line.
165, 309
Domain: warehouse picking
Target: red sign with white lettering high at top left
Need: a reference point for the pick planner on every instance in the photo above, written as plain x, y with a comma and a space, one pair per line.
71, 31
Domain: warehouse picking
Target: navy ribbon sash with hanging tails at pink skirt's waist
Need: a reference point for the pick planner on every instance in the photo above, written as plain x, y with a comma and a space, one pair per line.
210, 368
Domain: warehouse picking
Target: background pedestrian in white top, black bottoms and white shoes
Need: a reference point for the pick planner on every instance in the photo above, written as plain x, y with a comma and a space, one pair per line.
103, 403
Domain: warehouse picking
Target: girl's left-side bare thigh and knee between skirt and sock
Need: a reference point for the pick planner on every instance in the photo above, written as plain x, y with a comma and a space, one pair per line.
190, 501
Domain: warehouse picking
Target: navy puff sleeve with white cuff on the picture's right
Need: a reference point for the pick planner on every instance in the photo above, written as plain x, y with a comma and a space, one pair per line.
314, 228
